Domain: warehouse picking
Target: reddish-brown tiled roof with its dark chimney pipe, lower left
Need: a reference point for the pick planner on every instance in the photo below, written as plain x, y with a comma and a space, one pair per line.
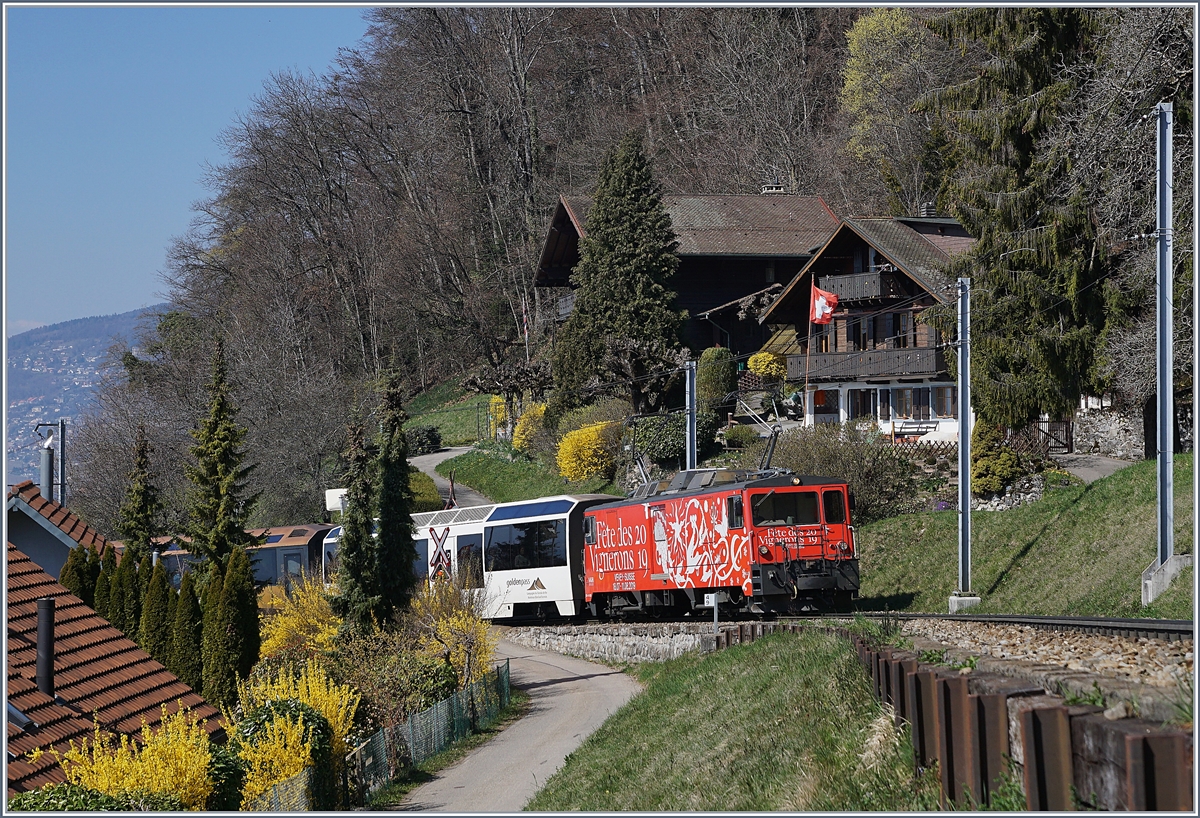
67, 666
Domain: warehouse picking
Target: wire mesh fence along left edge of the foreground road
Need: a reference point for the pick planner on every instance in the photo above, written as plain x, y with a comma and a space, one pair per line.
377, 761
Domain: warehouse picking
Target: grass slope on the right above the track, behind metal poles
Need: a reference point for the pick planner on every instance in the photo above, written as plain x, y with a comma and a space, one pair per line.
1081, 551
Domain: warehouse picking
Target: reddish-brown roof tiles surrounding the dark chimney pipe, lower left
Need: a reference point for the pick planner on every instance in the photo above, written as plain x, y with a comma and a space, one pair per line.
98, 671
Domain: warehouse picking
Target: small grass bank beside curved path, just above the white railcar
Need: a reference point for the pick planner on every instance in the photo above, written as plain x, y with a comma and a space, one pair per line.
494, 473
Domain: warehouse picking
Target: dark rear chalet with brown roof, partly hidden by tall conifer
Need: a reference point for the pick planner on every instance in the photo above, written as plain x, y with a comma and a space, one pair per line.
731, 249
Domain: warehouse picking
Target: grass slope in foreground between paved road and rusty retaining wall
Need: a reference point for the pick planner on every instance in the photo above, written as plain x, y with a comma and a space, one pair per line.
782, 724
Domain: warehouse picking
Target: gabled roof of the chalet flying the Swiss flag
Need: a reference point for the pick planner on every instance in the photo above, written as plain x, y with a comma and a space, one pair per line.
909, 244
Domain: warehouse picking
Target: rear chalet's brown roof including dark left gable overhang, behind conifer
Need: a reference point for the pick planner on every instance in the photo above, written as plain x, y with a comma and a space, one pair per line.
728, 225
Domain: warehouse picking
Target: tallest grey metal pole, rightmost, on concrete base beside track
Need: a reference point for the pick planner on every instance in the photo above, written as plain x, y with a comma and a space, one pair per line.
1166, 341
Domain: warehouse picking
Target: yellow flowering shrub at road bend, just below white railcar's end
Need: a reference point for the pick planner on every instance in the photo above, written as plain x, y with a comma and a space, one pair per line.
449, 627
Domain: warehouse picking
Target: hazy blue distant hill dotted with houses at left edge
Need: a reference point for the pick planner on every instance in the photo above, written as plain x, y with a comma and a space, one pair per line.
52, 372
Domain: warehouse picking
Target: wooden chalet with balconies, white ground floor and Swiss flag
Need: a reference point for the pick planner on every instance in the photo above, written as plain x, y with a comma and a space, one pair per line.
875, 360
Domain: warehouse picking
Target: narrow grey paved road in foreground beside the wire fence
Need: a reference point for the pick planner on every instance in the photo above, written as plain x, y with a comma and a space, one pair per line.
571, 699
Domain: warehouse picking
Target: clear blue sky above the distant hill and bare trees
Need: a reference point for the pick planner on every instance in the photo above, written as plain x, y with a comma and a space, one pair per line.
111, 115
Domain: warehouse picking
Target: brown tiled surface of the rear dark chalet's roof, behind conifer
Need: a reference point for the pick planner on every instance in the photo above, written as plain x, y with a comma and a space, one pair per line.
737, 224
